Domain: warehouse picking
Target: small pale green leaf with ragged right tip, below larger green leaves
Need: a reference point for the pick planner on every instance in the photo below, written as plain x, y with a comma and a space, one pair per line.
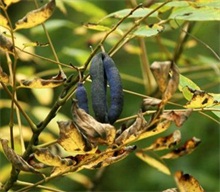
148, 31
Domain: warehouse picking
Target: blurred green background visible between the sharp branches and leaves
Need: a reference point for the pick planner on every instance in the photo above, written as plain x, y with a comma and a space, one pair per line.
72, 44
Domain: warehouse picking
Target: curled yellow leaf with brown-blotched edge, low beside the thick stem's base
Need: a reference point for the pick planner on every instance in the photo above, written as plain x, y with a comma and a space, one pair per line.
45, 156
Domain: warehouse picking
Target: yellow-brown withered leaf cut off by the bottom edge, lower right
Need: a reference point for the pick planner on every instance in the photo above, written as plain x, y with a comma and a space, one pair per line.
187, 183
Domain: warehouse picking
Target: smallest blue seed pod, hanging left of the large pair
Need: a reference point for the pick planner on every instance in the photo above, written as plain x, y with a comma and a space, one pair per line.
81, 97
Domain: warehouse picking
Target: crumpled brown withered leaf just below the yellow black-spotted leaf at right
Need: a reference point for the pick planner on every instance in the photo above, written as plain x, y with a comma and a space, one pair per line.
179, 117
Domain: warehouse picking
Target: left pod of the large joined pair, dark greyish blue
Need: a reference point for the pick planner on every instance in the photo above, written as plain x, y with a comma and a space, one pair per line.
98, 88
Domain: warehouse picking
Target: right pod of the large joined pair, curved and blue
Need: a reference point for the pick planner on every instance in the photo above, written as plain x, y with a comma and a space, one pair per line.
116, 90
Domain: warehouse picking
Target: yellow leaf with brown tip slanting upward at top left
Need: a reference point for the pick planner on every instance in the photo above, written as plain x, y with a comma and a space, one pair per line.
36, 16
